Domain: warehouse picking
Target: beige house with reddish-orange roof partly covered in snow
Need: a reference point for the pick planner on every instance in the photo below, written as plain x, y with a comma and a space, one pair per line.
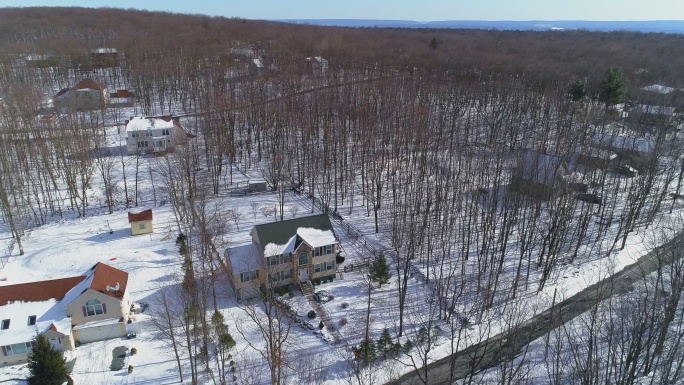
67, 311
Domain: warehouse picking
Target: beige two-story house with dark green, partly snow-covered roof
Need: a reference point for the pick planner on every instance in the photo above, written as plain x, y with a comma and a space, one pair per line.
283, 253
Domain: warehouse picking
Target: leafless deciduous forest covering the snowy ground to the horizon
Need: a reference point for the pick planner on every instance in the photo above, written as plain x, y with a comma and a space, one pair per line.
485, 161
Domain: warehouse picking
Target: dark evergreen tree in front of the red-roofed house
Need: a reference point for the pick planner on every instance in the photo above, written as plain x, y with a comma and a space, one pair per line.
46, 365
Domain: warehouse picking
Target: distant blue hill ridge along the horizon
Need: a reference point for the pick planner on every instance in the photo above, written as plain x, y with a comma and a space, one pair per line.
664, 26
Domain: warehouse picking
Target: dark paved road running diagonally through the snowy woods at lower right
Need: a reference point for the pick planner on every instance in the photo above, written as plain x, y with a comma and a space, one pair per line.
503, 347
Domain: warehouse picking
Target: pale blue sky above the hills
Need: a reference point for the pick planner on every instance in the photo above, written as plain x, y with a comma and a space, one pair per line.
399, 9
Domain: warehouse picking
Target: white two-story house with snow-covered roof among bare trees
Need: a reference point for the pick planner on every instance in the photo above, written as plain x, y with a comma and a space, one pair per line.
150, 135
